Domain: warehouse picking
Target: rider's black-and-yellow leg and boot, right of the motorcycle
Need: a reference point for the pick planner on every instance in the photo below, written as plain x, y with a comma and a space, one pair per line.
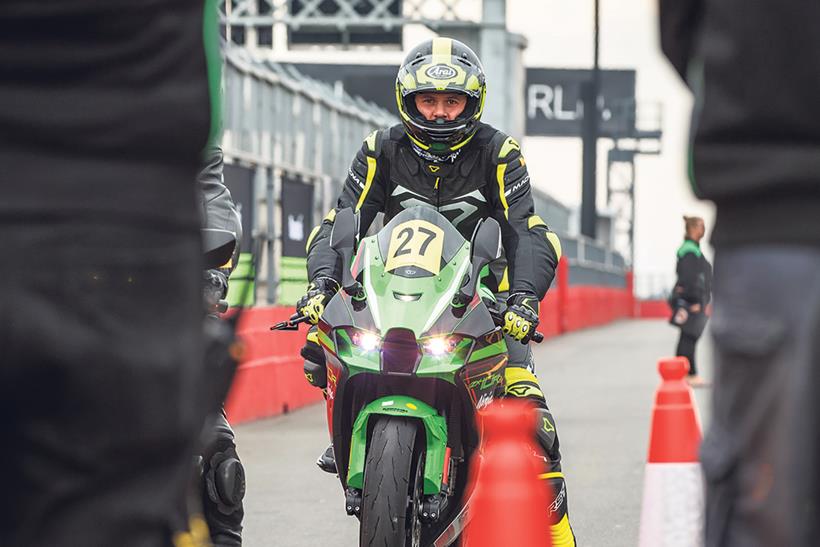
522, 384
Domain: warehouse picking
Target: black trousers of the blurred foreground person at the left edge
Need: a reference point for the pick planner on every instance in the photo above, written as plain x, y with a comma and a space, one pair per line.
101, 363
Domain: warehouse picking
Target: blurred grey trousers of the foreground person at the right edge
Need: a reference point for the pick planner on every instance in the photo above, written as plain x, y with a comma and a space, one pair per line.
760, 454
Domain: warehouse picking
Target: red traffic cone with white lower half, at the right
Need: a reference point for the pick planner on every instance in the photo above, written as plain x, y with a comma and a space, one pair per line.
672, 510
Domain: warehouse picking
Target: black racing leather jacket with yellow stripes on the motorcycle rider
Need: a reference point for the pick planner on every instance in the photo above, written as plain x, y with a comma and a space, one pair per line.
488, 179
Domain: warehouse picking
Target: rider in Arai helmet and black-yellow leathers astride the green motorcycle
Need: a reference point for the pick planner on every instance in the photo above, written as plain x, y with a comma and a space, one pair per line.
442, 156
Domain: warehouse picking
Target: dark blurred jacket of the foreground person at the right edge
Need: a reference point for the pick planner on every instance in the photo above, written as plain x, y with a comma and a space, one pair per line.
754, 66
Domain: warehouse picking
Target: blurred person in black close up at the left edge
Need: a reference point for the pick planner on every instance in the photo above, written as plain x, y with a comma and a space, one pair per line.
104, 111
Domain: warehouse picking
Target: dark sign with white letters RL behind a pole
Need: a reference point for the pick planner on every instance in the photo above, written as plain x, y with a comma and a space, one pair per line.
554, 107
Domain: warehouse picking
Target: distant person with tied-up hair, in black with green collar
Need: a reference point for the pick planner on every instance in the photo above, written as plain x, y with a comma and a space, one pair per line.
691, 295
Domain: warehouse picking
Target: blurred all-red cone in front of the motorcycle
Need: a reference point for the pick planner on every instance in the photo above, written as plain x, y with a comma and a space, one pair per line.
509, 504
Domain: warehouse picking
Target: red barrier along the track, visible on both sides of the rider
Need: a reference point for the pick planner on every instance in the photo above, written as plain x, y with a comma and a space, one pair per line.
270, 380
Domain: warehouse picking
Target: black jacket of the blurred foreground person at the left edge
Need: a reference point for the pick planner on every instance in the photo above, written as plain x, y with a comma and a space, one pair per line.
104, 110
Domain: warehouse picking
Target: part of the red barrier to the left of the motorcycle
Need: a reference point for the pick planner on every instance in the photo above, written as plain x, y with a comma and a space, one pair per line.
269, 380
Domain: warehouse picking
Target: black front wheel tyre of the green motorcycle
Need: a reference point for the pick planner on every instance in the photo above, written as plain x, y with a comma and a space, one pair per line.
393, 485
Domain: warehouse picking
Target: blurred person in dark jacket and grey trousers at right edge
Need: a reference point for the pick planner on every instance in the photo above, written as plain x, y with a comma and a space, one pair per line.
754, 67
